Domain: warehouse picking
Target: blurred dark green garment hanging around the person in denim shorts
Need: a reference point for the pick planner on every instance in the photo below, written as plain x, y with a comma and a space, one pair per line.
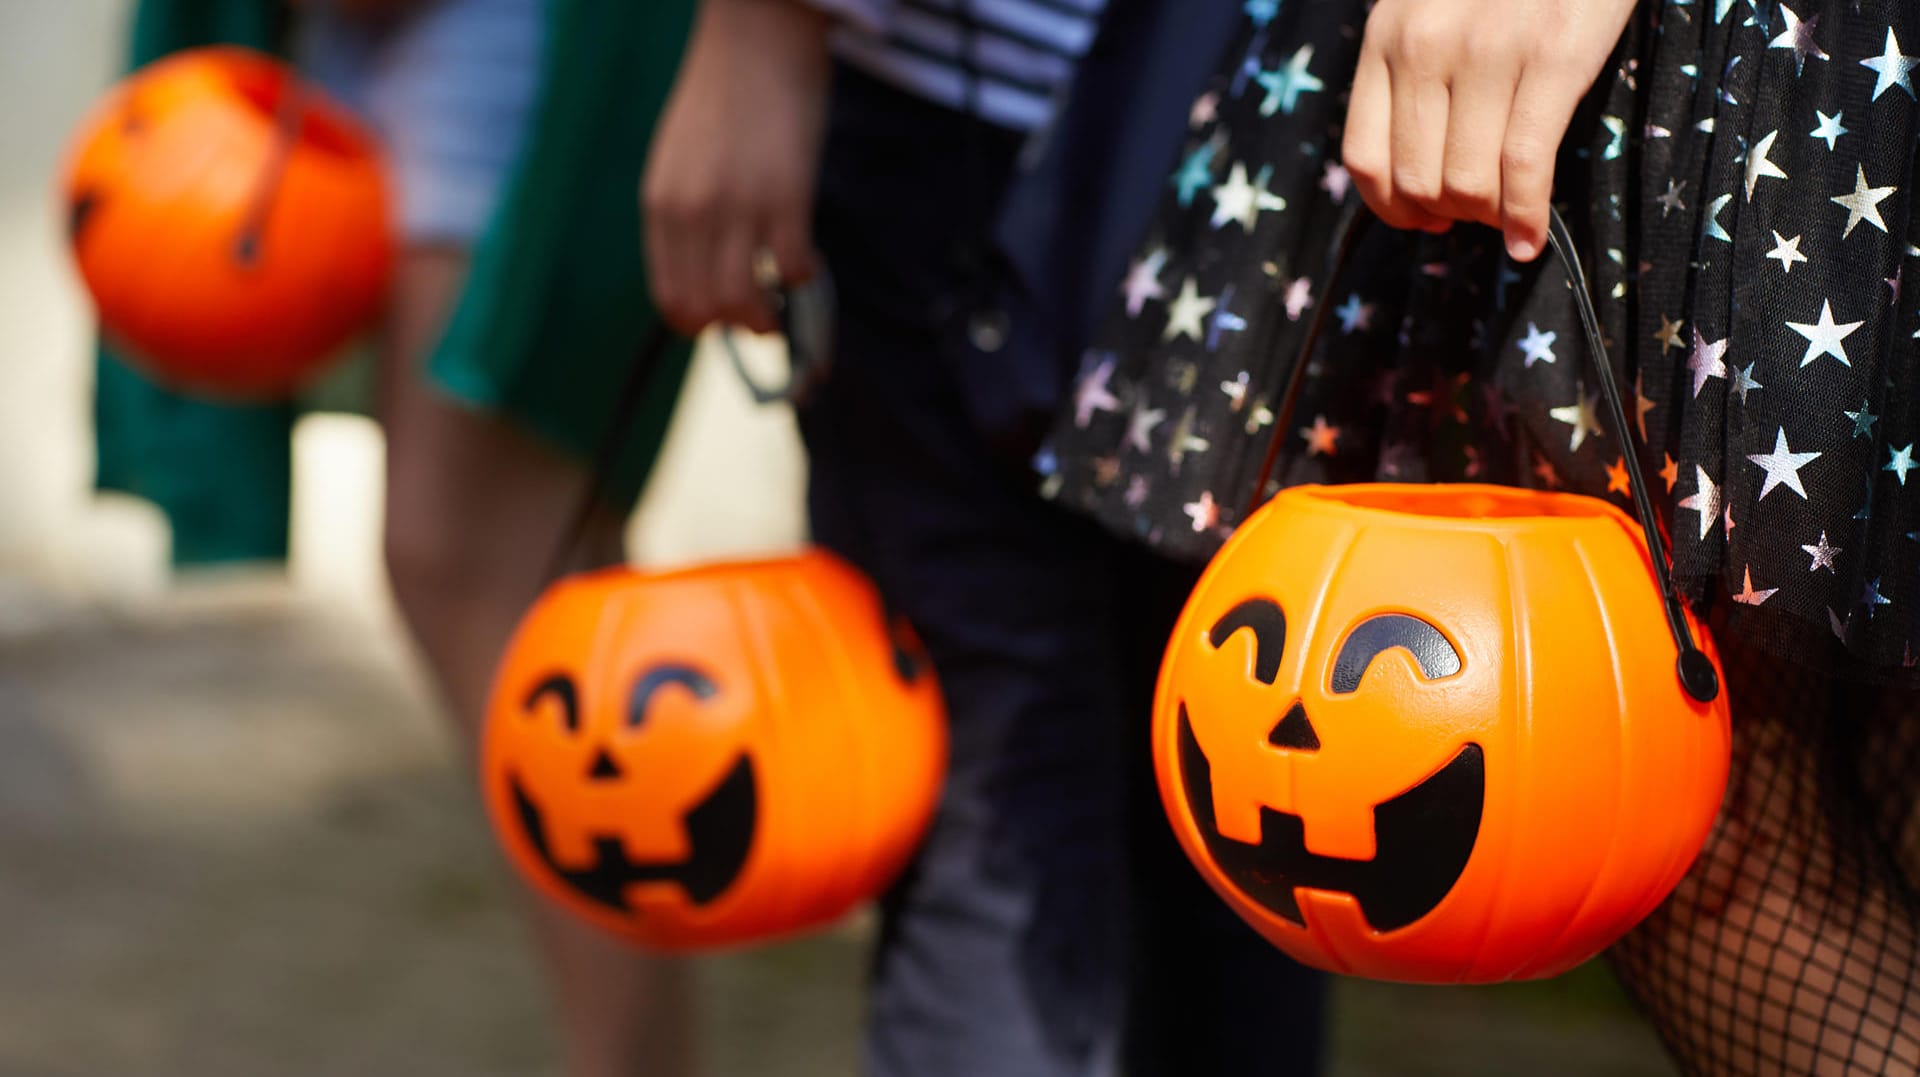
550, 323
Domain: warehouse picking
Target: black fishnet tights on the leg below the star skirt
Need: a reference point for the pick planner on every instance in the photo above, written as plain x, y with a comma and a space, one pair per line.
1792, 945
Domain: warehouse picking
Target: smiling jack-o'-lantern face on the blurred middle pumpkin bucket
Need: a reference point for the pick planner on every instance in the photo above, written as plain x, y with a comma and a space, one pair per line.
590, 848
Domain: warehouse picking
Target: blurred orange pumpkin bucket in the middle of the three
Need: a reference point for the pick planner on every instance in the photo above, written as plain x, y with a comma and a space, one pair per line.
717, 755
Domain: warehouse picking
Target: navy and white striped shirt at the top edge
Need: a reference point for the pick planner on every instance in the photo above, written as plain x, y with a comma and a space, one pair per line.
1003, 60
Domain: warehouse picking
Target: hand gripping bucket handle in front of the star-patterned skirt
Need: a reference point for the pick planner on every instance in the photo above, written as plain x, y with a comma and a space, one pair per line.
1460, 108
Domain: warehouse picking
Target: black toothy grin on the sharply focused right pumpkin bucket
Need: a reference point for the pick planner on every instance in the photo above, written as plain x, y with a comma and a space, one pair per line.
1422, 844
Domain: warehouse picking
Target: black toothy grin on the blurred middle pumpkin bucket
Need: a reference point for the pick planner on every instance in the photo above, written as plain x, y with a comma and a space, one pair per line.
719, 830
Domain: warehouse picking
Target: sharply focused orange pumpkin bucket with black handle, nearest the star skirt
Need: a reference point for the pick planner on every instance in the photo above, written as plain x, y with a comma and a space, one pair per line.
1443, 734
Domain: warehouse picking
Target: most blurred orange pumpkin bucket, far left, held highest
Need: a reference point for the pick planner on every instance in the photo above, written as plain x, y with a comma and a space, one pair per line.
231, 224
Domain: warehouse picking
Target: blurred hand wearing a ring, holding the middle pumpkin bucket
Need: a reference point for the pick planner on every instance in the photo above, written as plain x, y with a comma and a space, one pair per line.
732, 166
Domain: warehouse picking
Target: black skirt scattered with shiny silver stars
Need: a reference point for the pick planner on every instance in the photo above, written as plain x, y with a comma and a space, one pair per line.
1742, 187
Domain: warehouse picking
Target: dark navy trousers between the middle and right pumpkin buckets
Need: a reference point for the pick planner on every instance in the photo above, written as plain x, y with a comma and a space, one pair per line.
1051, 926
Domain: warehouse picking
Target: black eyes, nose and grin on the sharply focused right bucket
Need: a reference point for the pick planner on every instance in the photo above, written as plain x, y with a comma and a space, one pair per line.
1424, 836
